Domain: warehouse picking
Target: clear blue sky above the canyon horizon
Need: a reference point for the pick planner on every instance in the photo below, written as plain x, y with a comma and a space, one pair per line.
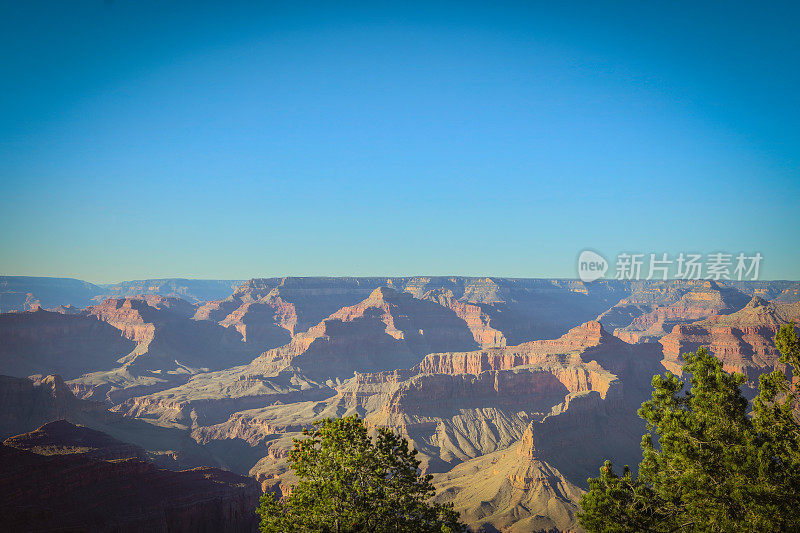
237, 139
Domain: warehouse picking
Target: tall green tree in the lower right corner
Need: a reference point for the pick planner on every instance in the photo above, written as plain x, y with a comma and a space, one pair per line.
714, 468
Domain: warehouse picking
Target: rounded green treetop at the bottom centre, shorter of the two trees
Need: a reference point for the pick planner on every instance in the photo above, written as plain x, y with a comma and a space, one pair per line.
350, 482
